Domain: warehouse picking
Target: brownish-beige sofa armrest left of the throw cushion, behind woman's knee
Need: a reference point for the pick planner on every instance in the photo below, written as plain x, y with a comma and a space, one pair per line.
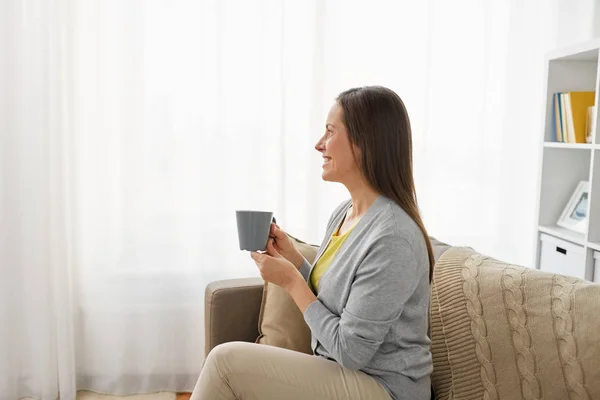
231, 309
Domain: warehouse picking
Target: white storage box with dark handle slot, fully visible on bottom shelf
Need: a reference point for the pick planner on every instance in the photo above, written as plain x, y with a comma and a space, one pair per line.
561, 257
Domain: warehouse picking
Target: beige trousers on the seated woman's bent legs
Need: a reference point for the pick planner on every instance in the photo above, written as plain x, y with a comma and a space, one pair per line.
246, 371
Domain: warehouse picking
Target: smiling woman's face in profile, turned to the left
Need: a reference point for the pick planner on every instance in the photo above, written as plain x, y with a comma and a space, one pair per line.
335, 147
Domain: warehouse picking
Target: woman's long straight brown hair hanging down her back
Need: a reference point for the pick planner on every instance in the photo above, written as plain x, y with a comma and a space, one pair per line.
378, 124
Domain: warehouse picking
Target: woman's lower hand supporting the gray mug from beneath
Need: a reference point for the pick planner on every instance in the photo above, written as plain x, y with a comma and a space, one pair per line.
275, 268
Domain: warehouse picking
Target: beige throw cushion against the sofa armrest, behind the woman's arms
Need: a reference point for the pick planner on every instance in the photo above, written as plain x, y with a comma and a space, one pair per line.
280, 322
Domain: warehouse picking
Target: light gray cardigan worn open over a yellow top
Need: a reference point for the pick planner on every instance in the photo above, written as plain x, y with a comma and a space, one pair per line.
371, 312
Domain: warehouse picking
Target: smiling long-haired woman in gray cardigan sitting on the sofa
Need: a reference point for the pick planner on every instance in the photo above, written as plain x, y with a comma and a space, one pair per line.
366, 299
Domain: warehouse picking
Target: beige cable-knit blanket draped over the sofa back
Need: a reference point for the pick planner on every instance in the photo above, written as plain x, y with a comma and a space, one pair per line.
502, 331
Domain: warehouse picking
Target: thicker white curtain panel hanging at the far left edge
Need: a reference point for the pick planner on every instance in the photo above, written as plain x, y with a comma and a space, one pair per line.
37, 340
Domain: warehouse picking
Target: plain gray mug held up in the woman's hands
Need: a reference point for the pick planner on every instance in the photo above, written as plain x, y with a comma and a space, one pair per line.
253, 229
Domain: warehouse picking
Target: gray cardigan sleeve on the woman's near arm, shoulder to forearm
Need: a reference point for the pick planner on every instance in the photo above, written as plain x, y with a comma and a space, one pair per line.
385, 279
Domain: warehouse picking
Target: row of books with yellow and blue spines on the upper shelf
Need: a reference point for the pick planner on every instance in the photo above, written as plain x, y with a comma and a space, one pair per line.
573, 116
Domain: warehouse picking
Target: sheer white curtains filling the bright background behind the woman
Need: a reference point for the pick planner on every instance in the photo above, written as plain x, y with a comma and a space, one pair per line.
131, 131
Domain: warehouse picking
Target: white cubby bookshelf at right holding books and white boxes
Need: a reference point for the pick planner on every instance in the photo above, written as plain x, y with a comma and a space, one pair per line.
564, 165
